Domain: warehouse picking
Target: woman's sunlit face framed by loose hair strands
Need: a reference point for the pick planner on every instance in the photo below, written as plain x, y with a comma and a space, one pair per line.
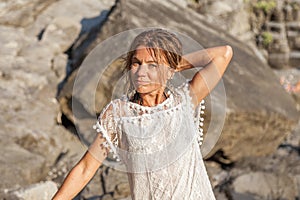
146, 73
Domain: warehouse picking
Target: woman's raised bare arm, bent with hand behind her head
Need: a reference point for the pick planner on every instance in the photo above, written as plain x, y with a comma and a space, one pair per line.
215, 61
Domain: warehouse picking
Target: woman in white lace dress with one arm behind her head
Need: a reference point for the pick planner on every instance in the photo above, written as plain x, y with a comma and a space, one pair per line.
154, 130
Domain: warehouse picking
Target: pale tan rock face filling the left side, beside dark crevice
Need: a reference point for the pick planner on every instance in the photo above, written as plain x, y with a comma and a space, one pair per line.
32, 63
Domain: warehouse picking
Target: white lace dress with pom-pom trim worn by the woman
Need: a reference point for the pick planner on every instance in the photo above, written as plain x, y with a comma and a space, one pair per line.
159, 147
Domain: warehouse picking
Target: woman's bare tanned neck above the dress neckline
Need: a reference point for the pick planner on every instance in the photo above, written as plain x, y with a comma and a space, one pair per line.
152, 98
